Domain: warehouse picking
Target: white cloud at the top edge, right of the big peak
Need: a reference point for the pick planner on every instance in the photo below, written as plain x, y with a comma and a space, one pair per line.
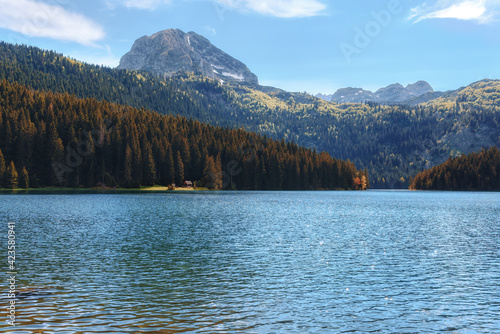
279, 8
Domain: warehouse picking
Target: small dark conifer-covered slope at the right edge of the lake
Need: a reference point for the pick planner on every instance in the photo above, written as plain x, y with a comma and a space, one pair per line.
475, 171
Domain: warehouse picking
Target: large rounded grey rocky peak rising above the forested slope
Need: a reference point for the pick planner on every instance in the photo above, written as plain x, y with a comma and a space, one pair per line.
169, 51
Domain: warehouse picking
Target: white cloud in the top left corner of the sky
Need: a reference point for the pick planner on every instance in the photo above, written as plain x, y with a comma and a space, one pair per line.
38, 19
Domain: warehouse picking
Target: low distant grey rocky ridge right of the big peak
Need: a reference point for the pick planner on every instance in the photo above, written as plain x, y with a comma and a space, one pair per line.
394, 93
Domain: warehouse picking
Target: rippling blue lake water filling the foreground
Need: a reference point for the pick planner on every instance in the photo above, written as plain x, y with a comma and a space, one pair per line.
255, 262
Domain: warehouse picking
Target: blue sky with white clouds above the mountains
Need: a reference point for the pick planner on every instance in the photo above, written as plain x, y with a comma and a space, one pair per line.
298, 45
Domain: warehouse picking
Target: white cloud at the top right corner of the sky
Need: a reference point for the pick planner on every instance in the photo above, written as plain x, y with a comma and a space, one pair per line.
468, 10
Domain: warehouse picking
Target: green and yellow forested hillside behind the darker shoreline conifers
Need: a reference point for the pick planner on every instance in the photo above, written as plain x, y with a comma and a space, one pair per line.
392, 142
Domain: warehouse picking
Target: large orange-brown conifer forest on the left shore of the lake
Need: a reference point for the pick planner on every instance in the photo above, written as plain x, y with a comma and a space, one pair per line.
53, 139
